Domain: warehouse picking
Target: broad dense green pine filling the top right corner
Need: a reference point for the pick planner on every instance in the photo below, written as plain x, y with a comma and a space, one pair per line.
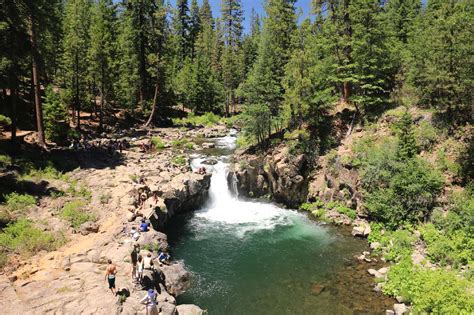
441, 61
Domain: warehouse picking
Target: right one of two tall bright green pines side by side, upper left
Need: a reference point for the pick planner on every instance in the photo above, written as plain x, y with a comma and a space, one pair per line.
102, 52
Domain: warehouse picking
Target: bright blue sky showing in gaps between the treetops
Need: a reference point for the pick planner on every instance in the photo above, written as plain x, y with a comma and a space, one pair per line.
247, 5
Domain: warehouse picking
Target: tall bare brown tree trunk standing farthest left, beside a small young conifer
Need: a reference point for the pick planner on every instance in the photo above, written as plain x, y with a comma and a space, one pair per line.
36, 83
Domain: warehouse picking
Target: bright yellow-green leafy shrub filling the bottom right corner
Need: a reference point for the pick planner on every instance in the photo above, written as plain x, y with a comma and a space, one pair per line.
429, 291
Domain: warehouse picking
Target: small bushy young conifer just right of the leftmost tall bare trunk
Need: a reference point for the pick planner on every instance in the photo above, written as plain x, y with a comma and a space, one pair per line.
56, 121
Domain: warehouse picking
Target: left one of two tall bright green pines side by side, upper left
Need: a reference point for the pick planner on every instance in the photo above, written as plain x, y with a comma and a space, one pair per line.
75, 47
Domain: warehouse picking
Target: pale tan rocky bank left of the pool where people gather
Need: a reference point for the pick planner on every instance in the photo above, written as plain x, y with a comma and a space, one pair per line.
153, 185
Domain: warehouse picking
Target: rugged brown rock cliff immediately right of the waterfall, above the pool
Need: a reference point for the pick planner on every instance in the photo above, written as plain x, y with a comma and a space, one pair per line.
282, 176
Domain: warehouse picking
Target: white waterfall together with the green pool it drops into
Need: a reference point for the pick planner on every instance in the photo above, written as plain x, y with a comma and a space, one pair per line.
252, 257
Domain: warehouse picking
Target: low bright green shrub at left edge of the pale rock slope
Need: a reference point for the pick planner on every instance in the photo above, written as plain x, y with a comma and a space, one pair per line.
22, 237
